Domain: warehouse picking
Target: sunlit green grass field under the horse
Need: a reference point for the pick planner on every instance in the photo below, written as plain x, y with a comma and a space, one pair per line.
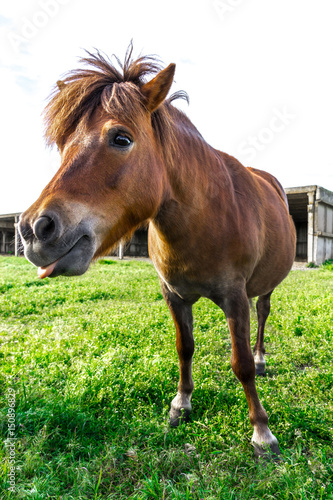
93, 364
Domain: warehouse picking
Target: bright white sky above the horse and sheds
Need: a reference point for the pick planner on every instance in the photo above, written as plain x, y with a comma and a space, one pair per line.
258, 73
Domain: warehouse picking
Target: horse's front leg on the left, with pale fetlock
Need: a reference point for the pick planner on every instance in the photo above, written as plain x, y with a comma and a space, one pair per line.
182, 316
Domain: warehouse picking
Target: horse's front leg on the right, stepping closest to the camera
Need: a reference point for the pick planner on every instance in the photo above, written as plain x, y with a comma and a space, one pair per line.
236, 309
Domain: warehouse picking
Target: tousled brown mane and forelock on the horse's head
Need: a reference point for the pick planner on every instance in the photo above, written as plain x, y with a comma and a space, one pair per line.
81, 91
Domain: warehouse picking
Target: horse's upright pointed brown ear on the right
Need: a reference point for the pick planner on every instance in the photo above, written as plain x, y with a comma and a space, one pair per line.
157, 89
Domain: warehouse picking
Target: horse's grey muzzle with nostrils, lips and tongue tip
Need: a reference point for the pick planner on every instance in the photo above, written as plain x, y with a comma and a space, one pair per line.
56, 247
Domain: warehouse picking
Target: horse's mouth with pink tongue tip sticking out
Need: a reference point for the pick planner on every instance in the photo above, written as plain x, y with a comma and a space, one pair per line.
72, 263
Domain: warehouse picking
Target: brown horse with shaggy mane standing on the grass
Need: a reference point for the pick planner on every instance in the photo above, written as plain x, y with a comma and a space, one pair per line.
216, 229
